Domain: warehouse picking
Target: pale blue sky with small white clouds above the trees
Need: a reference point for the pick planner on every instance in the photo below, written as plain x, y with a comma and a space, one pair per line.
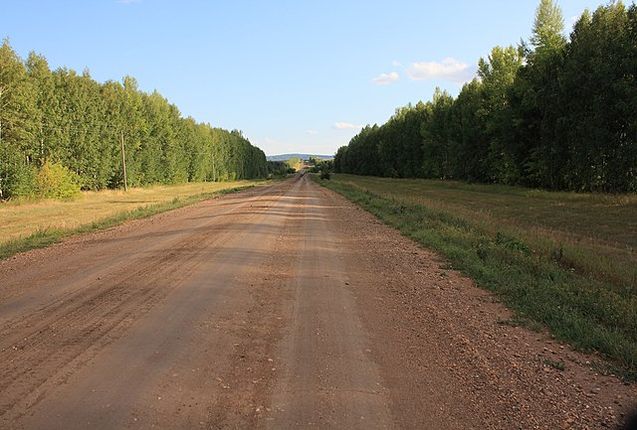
295, 76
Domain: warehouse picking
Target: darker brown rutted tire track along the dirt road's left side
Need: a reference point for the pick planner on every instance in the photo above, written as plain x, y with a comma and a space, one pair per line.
60, 337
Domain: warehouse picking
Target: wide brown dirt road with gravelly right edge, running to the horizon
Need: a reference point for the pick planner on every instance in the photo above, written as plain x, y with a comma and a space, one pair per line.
280, 307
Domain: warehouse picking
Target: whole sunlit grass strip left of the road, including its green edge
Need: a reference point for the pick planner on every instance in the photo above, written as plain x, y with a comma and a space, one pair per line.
29, 225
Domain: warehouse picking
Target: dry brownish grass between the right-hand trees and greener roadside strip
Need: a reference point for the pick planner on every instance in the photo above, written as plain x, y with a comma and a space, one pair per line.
593, 234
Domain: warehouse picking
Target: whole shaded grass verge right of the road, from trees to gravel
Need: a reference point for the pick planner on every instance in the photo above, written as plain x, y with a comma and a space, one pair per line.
530, 248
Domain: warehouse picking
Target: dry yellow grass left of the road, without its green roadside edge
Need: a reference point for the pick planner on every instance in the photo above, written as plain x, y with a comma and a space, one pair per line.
22, 219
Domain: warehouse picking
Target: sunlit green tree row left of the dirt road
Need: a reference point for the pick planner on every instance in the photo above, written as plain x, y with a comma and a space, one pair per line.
61, 121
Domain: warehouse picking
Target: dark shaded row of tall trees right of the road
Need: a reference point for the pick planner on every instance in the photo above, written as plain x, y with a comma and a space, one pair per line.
554, 112
